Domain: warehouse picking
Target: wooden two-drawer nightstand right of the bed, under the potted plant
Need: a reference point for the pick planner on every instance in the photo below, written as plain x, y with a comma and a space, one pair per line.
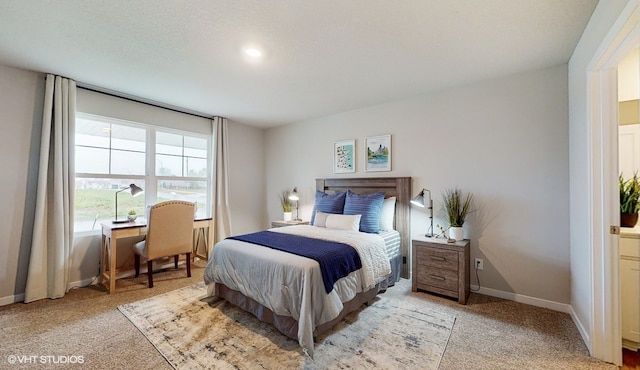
441, 267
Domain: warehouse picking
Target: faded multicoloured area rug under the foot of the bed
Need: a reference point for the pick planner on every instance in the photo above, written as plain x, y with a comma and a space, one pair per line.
191, 333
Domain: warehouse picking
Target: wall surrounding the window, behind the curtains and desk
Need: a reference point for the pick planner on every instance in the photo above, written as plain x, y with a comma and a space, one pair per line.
21, 97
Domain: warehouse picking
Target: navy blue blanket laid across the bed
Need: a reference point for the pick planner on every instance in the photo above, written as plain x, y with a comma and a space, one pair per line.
336, 260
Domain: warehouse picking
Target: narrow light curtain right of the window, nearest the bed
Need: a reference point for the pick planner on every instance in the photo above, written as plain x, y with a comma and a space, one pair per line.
220, 212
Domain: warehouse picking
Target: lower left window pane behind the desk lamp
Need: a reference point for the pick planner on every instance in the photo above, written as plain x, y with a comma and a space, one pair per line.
95, 201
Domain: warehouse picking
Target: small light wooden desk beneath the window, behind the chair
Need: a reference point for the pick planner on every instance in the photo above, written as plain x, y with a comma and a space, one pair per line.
112, 232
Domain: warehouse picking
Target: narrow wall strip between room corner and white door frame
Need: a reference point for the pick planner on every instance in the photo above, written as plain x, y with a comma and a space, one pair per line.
601, 21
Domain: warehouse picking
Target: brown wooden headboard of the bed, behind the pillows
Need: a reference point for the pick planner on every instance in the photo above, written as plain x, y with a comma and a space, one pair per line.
399, 187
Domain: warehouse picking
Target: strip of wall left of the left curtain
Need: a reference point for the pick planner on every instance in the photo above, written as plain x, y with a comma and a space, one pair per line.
21, 97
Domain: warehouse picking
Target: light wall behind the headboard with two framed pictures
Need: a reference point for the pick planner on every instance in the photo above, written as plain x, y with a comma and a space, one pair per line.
505, 140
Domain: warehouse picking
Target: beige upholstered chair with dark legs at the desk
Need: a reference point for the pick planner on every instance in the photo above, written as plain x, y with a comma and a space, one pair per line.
169, 233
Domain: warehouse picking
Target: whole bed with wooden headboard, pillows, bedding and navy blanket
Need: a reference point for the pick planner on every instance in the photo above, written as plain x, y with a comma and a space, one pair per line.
288, 290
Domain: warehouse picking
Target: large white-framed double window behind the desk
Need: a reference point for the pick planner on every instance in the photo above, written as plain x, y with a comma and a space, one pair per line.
111, 154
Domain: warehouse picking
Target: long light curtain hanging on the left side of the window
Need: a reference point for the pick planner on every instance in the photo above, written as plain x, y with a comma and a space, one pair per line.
50, 259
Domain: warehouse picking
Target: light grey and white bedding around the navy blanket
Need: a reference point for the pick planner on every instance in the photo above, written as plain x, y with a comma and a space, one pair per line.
292, 285
